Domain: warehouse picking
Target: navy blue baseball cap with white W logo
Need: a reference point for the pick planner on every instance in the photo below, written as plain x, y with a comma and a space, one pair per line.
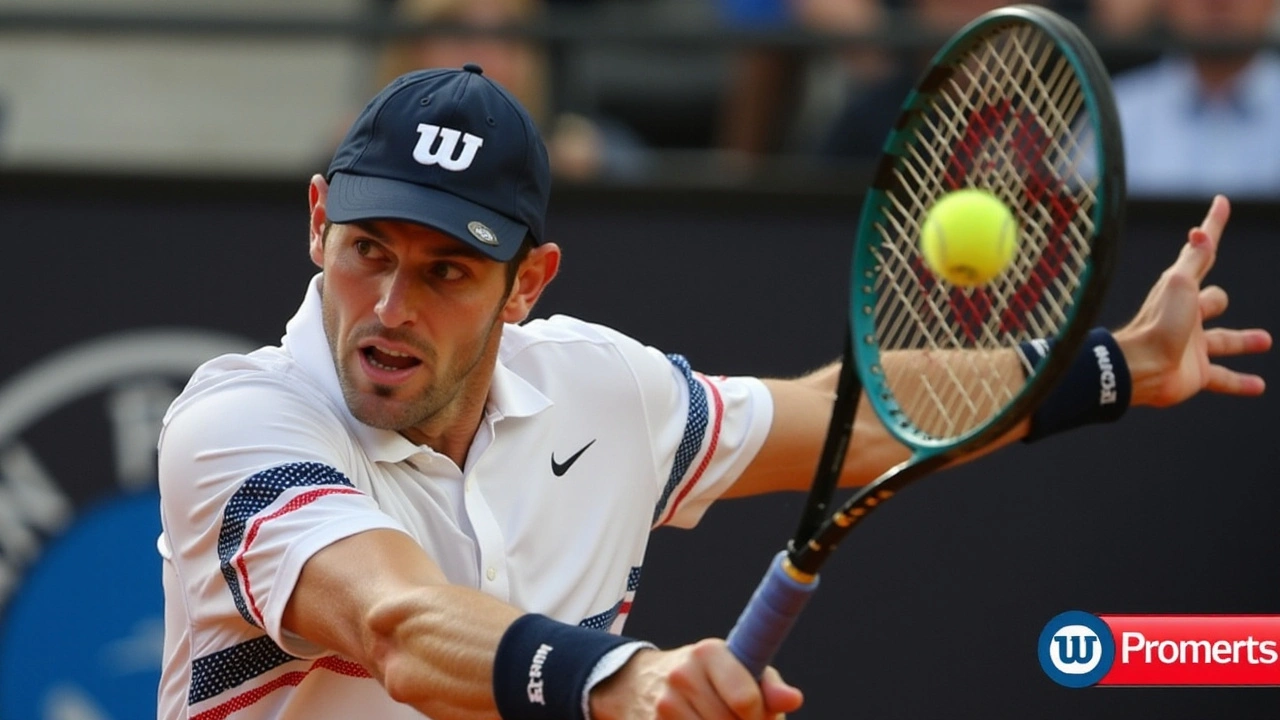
449, 149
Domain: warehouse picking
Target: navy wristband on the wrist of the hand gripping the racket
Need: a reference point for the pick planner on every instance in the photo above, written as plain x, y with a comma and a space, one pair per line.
543, 666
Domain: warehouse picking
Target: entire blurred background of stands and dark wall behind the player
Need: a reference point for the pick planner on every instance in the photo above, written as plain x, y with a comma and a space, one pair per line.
710, 158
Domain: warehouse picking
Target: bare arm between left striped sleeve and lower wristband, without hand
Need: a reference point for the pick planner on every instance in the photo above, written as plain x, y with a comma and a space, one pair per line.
378, 599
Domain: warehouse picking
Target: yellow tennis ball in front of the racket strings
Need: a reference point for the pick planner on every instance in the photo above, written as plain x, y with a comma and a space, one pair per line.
970, 238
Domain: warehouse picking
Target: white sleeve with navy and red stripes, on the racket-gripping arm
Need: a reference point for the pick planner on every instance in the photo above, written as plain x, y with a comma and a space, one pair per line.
254, 482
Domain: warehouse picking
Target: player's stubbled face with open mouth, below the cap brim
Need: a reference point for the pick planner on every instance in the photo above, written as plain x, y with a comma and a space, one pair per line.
413, 318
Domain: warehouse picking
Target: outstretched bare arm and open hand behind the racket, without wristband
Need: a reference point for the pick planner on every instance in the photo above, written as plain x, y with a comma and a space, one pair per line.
1172, 358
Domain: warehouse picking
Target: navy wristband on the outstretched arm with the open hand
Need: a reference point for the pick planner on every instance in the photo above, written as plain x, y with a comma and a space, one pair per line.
1096, 388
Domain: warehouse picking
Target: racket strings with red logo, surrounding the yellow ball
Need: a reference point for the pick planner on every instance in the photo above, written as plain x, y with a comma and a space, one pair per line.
1008, 120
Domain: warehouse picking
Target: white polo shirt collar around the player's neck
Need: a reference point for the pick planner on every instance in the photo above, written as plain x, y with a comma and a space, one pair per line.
510, 395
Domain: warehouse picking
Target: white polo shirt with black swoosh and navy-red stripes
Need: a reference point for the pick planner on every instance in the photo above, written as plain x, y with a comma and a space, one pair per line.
589, 441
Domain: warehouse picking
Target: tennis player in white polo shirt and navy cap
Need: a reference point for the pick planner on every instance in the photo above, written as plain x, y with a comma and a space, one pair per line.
420, 504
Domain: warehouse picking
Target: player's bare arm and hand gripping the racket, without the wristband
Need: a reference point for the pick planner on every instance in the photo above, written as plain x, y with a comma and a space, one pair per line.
378, 599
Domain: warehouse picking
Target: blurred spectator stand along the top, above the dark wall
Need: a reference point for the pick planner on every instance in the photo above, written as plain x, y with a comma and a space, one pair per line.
721, 93
